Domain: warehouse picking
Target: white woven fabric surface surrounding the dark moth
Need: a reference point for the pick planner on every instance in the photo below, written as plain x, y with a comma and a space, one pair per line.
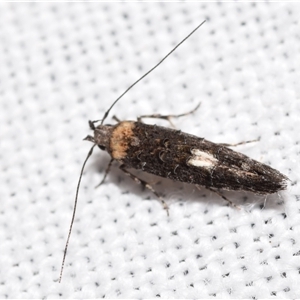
62, 64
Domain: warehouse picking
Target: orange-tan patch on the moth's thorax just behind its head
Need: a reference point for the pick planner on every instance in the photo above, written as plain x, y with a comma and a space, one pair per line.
121, 138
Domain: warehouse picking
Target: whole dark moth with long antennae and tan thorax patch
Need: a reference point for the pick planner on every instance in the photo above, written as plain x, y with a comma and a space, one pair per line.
176, 155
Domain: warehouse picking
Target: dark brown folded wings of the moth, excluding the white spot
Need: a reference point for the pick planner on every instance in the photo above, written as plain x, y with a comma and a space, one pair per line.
165, 152
